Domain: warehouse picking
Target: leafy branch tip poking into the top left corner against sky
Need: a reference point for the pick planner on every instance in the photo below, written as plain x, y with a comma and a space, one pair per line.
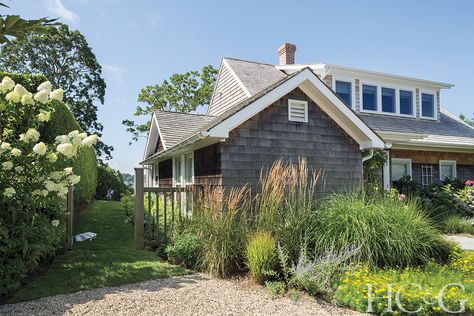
15, 26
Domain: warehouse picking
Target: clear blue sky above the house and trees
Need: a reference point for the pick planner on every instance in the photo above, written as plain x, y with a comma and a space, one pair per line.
143, 42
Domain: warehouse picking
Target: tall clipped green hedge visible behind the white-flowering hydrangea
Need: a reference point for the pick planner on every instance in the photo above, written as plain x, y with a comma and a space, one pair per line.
62, 122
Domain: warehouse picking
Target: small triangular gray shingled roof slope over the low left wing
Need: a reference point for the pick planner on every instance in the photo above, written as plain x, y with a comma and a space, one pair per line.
176, 127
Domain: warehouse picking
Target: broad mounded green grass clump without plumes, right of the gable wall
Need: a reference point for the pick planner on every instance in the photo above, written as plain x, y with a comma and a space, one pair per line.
387, 232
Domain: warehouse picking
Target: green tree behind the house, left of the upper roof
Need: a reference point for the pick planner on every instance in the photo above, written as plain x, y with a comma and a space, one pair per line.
180, 93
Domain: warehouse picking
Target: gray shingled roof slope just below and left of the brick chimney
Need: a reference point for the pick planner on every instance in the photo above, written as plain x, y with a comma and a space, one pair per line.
255, 76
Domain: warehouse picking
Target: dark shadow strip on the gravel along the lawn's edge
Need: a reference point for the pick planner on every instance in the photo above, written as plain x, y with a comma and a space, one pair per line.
61, 304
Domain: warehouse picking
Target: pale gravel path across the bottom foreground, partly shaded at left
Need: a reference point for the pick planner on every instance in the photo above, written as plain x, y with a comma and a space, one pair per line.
186, 295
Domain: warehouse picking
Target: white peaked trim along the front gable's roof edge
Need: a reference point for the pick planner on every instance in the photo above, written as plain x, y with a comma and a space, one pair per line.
307, 81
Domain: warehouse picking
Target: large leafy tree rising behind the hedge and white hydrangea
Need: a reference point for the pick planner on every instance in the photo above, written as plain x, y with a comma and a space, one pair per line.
66, 59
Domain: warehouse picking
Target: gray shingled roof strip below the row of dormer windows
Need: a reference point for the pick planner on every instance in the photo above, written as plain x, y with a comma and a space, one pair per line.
447, 126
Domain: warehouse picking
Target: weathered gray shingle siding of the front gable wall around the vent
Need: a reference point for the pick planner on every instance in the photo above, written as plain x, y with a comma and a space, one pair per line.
269, 136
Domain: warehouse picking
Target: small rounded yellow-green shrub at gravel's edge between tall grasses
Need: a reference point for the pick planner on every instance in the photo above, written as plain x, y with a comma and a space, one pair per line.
261, 255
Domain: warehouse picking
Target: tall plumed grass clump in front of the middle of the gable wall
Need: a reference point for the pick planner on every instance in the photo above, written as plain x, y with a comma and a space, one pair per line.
286, 204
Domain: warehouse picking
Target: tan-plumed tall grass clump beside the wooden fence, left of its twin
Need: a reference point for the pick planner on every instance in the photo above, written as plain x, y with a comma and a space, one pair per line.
220, 222
